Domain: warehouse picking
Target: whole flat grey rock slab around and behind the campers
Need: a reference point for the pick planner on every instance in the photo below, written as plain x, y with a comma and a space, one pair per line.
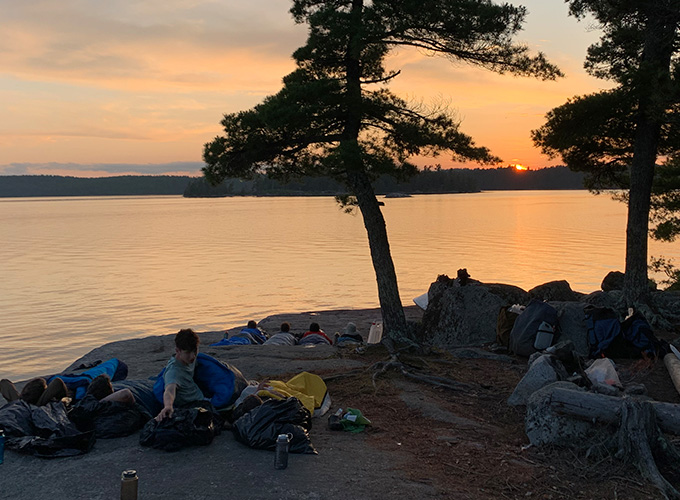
347, 466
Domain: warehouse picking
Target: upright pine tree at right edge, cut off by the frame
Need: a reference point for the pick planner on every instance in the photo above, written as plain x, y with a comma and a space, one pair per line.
617, 136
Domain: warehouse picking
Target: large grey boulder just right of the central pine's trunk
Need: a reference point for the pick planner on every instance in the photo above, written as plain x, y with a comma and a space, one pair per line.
460, 315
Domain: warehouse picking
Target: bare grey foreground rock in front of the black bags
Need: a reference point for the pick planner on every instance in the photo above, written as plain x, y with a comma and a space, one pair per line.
346, 467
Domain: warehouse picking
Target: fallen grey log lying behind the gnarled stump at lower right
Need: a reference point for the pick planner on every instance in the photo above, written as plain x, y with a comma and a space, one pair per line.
593, 406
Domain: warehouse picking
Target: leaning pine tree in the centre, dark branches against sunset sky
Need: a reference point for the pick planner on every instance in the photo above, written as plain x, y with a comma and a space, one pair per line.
335, 115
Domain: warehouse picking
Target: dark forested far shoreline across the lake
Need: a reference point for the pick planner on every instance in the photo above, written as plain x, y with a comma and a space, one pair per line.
430, 180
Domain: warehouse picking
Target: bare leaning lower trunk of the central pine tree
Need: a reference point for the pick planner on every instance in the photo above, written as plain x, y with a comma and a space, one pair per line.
388, 291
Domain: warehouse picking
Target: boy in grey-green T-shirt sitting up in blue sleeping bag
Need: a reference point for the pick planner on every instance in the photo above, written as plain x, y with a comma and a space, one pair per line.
191, 376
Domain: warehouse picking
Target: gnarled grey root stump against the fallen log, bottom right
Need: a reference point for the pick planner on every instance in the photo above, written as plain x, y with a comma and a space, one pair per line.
640, 439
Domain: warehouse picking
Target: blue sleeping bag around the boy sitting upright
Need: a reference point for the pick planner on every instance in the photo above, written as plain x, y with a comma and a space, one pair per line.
220, 382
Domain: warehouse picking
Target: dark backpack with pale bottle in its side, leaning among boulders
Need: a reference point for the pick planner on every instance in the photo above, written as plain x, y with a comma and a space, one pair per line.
537, 322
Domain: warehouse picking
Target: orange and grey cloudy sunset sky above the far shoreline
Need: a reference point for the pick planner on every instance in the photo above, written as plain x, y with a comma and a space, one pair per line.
92, 88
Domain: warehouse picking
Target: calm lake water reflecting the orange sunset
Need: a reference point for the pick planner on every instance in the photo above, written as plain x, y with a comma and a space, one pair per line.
79, 272
